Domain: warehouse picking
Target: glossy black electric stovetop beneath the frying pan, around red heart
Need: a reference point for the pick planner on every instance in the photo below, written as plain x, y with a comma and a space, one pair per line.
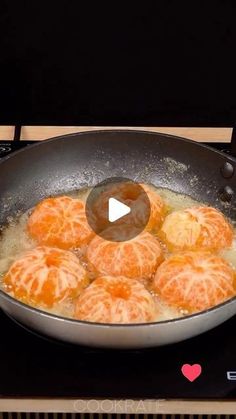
33, 366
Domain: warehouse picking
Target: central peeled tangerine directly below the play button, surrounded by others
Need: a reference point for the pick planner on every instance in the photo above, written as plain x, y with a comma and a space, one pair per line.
135, 258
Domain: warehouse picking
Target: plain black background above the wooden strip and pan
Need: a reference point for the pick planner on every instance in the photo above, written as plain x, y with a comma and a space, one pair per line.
158, 63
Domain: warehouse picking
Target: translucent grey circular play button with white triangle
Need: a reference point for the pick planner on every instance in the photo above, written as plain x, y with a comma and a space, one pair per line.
119, 203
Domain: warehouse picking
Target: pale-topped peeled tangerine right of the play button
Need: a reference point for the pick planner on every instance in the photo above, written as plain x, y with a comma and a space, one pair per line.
196, 228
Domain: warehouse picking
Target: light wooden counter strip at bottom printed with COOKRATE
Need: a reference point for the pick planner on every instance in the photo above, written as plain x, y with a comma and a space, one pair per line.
117, 407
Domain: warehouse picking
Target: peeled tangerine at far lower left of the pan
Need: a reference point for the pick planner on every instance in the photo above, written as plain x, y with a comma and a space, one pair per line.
46, 276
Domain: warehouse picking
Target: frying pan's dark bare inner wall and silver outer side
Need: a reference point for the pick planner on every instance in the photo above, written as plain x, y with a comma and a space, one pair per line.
74, 161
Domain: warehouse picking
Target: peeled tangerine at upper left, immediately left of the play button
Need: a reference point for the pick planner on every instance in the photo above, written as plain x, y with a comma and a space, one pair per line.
60, 222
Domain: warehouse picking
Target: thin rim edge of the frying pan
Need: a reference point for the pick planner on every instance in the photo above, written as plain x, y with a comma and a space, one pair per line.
115, 325
